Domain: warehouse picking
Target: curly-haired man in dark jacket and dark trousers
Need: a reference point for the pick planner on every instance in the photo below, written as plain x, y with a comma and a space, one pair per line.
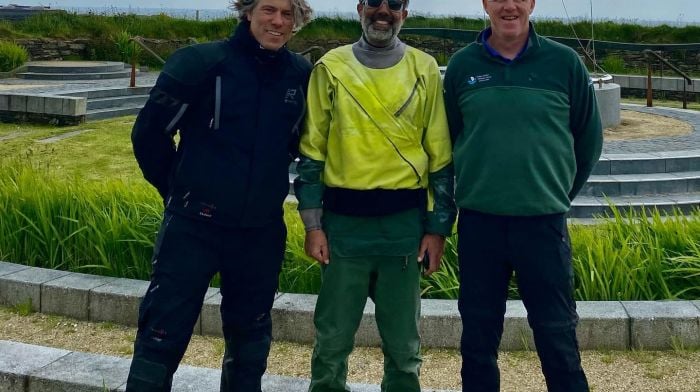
237, 105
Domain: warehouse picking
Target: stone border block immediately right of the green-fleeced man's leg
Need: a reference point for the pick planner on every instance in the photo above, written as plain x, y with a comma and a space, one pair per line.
603, 325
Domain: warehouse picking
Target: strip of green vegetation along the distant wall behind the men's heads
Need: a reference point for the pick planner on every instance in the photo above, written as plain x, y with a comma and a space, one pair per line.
73, 25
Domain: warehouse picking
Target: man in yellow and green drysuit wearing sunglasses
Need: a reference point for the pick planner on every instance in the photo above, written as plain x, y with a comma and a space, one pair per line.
375, 193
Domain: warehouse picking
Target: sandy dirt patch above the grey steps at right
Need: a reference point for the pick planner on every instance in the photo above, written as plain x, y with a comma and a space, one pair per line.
640, 126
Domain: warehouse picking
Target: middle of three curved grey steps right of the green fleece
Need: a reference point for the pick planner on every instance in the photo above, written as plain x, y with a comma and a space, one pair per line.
642, 184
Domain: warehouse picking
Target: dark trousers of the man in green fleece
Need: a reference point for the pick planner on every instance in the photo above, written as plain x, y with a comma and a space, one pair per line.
538, 249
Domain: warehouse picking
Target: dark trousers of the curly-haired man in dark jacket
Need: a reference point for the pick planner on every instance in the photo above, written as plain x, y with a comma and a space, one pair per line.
186, 255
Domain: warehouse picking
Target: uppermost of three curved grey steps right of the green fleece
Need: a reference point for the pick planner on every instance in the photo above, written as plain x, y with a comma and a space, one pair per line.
647, 163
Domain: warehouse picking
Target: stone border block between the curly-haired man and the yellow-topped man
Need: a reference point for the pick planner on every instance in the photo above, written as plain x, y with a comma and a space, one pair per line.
292, 318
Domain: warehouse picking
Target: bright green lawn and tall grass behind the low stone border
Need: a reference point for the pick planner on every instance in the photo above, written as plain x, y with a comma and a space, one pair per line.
80, 204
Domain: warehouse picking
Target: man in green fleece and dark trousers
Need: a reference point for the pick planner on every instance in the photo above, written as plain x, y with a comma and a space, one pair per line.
526, 134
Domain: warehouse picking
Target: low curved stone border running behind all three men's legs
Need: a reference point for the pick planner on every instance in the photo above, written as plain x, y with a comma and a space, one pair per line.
610, 325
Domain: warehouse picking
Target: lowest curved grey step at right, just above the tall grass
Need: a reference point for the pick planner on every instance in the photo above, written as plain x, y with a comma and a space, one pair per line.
590, 206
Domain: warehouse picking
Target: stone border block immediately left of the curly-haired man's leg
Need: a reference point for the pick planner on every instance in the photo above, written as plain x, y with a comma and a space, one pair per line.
117, 301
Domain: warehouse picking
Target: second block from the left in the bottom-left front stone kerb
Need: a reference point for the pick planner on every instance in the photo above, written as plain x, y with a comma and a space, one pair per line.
80, 372
